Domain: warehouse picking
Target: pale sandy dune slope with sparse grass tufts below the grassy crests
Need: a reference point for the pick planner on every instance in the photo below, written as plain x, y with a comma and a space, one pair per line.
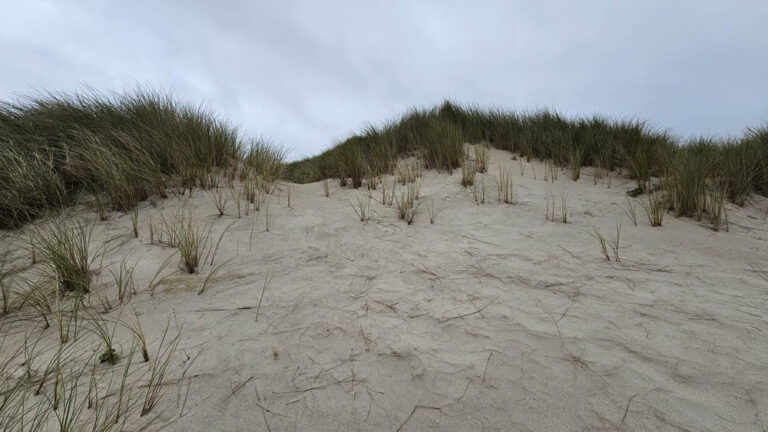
497, 316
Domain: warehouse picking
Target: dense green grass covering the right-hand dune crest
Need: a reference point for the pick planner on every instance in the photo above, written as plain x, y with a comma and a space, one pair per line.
646, 153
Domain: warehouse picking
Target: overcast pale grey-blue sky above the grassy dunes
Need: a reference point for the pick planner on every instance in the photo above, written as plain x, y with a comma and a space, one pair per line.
305, 74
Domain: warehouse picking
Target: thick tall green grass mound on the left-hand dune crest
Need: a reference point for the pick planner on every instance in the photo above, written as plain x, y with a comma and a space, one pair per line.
120, 147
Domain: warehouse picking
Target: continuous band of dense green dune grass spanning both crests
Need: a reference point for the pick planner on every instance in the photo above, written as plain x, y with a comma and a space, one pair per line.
121, 149
